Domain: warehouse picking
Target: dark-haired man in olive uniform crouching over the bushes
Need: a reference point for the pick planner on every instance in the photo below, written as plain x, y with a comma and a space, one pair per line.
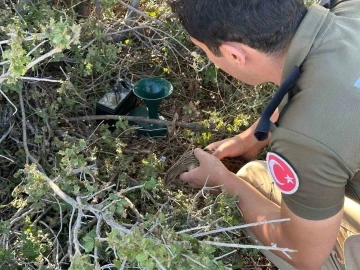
314, 55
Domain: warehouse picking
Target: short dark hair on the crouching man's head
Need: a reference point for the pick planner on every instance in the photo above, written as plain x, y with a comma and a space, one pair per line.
265, 25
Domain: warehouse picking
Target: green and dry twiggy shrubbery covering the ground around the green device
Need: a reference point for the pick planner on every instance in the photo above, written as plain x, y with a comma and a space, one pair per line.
80, 192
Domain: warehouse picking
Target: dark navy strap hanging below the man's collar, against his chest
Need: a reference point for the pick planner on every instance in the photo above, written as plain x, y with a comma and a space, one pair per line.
263, 128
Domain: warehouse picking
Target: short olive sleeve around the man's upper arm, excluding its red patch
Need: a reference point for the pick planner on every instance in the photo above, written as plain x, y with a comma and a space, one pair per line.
322, 175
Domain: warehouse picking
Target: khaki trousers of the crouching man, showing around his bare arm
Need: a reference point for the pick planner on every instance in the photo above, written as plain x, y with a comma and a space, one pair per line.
347, 248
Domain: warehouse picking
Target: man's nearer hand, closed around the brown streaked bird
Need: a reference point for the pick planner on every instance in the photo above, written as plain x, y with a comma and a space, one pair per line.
210, 173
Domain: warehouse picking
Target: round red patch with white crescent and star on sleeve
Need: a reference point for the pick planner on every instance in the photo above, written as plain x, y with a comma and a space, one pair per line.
283, 175
